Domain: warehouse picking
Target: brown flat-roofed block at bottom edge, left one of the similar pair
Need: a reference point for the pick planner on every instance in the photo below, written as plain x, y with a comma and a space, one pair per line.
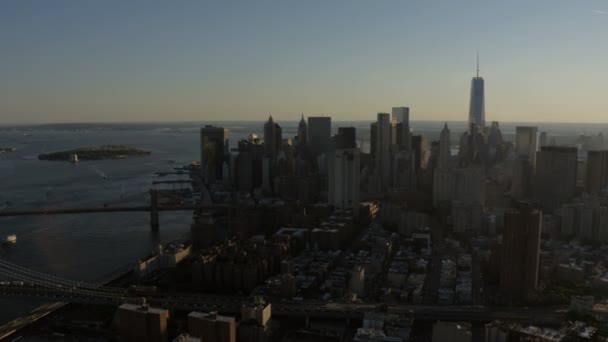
141, 323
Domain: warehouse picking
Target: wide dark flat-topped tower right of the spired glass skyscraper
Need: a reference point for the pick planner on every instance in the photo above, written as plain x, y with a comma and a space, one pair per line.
555, 178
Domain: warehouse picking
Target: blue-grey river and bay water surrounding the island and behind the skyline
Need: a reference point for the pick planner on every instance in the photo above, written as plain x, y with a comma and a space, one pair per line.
87, 246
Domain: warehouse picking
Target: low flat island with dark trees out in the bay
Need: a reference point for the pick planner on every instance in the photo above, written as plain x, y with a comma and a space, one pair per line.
95, 153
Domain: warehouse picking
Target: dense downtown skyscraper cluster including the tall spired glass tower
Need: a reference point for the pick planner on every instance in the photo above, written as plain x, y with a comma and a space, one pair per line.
480, 183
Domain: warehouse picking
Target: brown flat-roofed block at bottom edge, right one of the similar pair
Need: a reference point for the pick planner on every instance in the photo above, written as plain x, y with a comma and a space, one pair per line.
212, 327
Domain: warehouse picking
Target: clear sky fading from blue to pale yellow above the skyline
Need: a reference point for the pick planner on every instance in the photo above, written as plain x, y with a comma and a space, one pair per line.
132, 61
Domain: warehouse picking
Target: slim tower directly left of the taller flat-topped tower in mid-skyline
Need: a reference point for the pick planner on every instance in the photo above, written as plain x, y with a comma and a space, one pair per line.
383, 152
